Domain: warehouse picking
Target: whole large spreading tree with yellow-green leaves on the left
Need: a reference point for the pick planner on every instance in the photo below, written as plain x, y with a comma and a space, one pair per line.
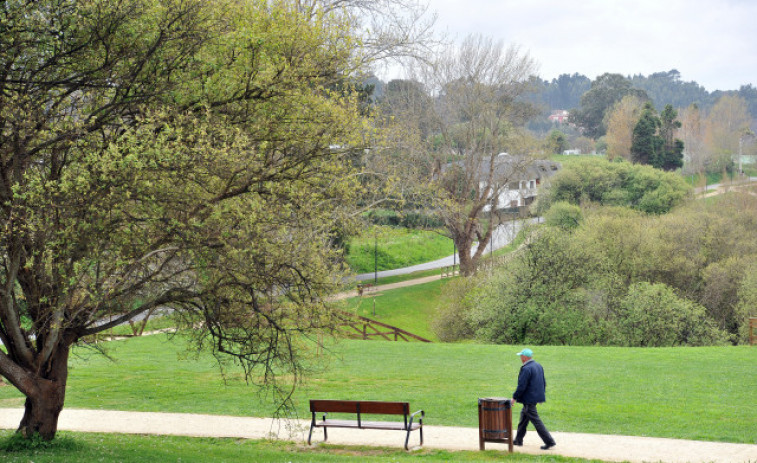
176, 154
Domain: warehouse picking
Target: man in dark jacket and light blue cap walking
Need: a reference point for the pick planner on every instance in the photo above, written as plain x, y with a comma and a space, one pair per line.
531, 390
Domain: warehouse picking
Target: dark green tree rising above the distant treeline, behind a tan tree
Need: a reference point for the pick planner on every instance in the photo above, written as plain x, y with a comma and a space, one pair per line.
605, 91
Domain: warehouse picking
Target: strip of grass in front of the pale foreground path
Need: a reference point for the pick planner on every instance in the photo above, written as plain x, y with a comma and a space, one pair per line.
112, 448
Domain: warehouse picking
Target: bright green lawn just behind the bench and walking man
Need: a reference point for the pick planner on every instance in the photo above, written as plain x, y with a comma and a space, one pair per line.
693, 393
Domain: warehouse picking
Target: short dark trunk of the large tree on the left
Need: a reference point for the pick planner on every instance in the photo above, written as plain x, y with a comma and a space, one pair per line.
44, 400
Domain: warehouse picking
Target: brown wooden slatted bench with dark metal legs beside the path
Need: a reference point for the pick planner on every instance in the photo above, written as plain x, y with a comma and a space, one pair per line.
360, 408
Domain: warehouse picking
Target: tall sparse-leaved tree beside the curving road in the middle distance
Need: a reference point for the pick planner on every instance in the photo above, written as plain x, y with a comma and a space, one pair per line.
477, 87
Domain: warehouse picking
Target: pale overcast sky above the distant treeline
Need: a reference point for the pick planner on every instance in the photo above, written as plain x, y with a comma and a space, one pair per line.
712, 42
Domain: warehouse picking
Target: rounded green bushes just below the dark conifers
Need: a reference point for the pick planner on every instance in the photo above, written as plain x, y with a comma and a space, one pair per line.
616, 183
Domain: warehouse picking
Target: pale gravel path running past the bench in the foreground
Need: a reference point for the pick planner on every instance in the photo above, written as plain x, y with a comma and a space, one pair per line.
593, 446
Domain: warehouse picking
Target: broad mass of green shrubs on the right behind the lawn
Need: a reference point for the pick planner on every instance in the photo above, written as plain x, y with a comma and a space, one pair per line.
624, 278
